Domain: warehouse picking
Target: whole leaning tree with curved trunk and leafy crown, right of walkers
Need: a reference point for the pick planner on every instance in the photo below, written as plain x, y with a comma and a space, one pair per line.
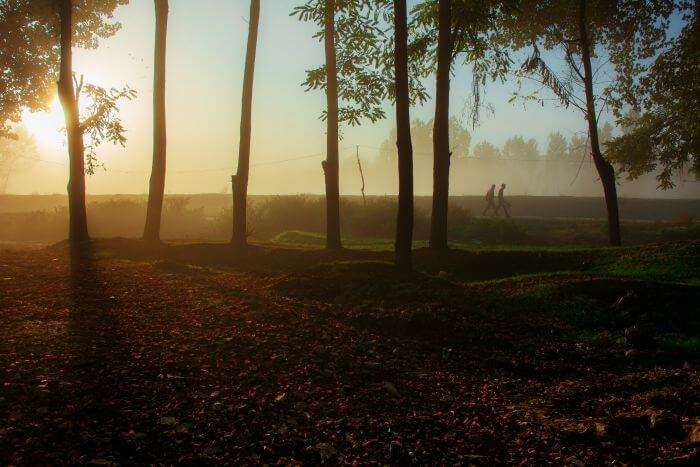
629, 33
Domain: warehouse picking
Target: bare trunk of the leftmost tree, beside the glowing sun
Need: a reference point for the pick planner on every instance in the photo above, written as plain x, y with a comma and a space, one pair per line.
78, 231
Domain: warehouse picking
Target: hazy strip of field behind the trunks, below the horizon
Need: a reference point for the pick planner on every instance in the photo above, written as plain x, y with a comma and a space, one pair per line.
541, 221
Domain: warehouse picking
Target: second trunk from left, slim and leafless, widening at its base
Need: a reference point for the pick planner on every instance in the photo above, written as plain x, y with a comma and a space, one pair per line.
156, 187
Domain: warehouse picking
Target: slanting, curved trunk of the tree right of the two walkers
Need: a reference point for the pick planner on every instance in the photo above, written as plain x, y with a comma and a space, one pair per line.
604, 168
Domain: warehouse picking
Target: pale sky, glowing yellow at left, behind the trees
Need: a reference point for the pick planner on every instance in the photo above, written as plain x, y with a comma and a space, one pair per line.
205, 61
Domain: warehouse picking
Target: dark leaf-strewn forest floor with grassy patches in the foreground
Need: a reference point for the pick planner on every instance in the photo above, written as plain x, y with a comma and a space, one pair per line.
120, 354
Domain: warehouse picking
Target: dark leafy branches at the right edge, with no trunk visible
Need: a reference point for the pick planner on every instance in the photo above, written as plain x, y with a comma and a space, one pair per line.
661, 129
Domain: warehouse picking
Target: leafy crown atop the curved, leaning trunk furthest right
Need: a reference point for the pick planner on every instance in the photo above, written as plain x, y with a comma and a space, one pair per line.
624, 33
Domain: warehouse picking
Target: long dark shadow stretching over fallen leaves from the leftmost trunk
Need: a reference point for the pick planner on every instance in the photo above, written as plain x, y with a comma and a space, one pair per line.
99, 361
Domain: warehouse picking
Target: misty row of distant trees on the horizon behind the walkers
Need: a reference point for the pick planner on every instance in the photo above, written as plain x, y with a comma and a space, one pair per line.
562, 167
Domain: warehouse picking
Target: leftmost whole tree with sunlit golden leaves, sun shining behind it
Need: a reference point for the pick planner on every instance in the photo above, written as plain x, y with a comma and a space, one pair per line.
45, 31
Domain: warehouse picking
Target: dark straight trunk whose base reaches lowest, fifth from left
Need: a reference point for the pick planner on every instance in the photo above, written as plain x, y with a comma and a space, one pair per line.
404, 221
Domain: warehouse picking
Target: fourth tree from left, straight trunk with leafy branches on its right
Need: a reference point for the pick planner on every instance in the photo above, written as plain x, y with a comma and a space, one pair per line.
357, 77
